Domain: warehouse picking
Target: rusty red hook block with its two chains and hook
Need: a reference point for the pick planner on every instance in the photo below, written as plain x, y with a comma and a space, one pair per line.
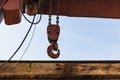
53, 31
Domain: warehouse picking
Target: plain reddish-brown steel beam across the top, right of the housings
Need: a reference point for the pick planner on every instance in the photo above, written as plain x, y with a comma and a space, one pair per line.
86, 8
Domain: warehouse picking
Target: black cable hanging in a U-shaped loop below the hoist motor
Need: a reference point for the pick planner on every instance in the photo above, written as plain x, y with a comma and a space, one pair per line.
40, 7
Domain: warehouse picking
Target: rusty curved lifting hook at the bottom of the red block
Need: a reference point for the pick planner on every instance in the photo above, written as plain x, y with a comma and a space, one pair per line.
50, 50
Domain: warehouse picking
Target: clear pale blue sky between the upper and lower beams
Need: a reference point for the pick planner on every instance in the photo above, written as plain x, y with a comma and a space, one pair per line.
80, 39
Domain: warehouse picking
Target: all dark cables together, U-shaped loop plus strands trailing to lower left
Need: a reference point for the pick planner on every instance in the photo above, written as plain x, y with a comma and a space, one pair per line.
32, 23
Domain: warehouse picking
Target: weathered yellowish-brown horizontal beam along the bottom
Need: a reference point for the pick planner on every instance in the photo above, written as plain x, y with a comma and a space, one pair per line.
59, 70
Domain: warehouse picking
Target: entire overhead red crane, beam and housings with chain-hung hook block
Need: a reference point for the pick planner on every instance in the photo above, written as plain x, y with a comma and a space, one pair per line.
12, 10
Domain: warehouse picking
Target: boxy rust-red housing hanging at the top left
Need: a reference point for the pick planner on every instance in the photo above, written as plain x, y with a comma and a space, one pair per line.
12, 13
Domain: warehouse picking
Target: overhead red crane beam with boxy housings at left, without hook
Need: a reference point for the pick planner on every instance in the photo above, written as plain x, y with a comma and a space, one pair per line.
72, 8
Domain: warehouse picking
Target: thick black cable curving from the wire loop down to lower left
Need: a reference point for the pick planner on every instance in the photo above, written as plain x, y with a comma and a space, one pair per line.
20, 44
